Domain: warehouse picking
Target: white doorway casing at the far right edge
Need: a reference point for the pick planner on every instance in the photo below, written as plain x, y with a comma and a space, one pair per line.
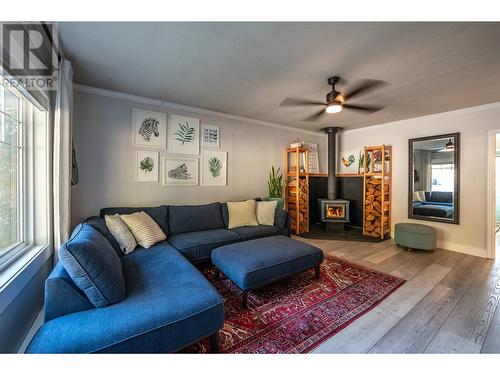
490, 194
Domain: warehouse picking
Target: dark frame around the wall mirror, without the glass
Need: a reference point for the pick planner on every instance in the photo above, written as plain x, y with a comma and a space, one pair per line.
456, 193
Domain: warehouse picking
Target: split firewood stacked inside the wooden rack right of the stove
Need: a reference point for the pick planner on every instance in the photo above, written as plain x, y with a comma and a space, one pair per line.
374, 210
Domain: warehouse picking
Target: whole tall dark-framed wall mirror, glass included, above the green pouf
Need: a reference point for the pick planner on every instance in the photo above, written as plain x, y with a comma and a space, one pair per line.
434, 178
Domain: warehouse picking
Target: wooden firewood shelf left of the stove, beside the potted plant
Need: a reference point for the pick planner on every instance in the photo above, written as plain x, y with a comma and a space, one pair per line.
297, 188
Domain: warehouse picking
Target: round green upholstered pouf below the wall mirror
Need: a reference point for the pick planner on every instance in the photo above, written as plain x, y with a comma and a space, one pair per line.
415, 236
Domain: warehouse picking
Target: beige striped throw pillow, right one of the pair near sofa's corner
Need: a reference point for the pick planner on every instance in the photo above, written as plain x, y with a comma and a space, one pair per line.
144, 229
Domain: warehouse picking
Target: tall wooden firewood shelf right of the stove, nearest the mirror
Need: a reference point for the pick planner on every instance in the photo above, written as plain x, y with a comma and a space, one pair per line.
377, 192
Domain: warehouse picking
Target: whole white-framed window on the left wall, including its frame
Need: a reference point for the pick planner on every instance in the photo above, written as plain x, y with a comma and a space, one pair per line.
24, 175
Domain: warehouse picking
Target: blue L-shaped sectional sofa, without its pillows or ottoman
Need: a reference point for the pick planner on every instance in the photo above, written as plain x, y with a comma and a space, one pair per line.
168, 305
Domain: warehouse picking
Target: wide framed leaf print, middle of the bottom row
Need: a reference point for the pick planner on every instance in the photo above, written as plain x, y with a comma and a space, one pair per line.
180, 171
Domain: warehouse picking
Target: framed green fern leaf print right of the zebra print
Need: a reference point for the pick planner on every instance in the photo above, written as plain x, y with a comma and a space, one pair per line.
184, 135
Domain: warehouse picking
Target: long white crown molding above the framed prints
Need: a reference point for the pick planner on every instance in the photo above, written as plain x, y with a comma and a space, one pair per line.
186, 108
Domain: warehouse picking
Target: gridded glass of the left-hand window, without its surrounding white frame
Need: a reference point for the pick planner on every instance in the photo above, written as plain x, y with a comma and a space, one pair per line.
11, 171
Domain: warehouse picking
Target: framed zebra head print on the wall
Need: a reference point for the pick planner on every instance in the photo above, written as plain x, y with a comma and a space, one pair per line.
149, 128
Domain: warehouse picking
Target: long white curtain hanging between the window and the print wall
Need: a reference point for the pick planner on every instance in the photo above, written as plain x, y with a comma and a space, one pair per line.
62, 153
